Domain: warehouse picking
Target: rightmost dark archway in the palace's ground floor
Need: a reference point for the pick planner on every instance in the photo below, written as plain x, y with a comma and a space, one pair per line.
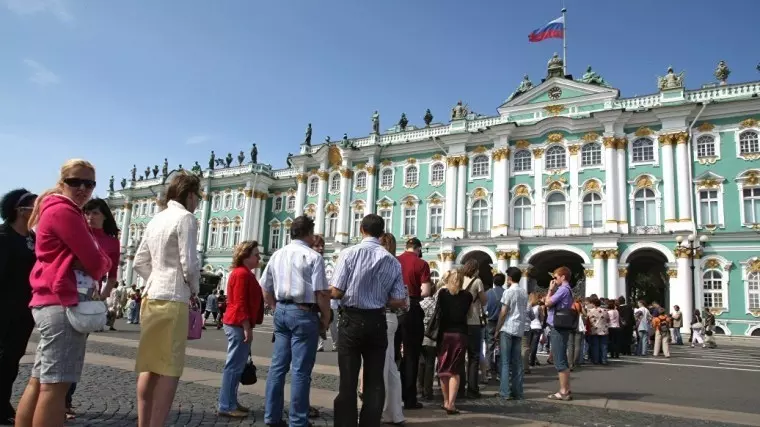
647, 277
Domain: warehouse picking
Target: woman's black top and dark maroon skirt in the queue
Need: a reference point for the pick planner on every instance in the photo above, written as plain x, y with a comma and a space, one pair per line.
452, 344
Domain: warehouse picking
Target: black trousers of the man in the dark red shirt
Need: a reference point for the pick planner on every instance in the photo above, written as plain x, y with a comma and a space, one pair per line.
412, 332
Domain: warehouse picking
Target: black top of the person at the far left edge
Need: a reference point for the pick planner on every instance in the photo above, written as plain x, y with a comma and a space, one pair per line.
16, 262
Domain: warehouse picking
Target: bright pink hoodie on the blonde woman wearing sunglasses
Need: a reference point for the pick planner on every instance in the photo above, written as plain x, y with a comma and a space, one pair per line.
63, 237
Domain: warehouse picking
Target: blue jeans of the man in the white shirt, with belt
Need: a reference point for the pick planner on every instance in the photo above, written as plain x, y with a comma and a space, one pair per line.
296, 334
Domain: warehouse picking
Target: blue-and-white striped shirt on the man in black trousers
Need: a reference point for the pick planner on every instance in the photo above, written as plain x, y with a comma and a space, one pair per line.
368, 275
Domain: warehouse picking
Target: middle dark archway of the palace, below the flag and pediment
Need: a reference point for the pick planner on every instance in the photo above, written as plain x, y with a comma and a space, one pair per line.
544, 263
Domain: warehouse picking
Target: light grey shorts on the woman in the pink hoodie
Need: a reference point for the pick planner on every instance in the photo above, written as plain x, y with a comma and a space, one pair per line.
60, 352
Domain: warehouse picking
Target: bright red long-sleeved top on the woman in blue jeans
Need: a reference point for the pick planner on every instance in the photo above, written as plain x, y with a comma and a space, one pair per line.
244, 299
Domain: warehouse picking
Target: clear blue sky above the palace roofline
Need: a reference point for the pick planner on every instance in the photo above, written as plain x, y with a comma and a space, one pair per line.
123, 82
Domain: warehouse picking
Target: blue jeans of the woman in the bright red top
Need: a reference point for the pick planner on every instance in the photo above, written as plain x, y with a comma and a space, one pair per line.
237, 355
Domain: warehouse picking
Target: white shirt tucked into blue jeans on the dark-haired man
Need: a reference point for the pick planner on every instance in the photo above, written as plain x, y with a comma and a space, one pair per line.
294, 273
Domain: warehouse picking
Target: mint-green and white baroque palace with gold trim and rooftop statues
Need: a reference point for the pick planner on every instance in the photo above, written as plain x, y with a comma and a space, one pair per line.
654, 197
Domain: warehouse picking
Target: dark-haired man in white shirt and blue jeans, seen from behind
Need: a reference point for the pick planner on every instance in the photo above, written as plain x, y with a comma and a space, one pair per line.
294, 284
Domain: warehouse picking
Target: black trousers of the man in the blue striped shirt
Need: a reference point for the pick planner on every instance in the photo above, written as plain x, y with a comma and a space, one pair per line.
363, 338
